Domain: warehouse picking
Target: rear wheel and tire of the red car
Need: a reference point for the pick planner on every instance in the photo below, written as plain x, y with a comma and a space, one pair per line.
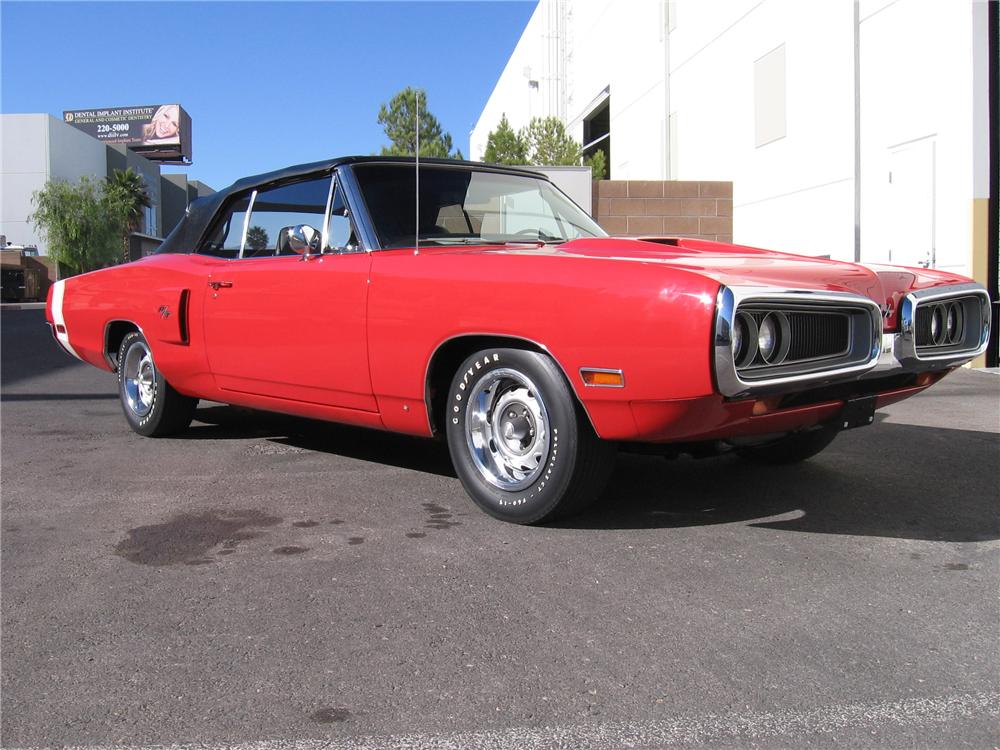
152, 407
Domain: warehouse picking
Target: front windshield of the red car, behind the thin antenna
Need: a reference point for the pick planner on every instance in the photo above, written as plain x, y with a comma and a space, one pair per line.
460, 206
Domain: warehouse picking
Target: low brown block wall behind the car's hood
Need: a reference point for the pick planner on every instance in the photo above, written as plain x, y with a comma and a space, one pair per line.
672, 208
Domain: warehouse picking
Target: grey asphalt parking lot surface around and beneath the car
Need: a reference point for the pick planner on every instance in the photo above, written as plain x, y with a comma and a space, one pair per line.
272, 582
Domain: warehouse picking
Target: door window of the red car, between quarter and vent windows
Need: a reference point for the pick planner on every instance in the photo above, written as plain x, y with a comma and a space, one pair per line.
277, 210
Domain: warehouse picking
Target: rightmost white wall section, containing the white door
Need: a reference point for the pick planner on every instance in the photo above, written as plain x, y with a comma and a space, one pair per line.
918, 97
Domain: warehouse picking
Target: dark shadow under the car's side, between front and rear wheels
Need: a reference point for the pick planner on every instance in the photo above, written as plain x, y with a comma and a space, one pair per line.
231, 422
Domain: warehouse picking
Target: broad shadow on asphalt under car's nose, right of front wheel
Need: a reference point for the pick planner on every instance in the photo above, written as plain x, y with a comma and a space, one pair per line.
898, 481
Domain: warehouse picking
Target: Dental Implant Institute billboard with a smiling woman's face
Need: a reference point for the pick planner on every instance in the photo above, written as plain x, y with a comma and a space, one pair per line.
161, 132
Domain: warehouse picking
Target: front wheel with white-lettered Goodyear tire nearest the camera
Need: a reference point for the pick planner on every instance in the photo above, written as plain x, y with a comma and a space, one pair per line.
521, 446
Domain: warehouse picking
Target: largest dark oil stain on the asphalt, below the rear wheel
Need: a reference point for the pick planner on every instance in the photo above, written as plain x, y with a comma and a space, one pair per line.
187, 539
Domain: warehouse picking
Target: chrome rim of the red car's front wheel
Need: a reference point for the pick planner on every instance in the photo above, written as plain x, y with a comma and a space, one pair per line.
507, 429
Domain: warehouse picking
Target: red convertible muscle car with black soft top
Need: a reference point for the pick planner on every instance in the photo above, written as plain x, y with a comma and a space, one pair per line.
495, 312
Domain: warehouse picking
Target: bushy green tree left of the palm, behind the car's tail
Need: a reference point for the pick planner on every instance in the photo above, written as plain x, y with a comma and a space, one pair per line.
80, 223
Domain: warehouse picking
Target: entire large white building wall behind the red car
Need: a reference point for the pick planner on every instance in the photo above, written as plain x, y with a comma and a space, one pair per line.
795, 193
